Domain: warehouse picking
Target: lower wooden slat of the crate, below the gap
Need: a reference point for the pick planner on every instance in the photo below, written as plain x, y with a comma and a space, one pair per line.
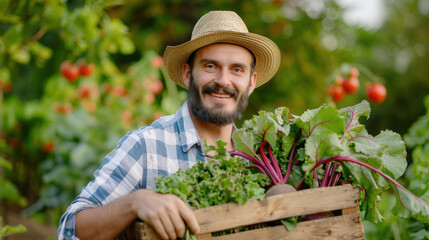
334, 228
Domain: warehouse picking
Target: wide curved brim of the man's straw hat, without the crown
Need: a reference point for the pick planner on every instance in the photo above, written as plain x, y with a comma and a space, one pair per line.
266, 52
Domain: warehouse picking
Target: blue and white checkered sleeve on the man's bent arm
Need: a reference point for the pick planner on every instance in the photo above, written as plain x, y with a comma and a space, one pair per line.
119, 174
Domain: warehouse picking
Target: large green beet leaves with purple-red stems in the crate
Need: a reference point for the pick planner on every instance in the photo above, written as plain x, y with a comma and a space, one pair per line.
326, 145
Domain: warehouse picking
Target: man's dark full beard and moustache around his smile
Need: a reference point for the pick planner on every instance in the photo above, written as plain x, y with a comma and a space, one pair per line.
216, 115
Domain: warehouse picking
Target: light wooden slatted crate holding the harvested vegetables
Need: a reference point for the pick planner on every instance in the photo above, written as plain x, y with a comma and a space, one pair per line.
344, 198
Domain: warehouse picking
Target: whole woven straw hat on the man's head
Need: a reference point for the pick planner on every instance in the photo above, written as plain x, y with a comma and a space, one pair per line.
224, 27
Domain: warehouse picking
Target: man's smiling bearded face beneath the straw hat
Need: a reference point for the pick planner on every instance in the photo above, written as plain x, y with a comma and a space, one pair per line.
220, 83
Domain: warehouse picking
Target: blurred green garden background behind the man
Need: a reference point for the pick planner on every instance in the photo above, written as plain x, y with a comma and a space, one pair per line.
57, 124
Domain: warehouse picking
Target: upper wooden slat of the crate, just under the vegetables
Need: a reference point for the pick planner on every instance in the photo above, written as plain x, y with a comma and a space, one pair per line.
231, 215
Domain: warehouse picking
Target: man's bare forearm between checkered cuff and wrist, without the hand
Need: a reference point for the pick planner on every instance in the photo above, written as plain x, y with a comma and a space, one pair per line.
106, 222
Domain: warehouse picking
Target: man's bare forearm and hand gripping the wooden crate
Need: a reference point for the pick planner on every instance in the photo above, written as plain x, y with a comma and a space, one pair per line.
165, 212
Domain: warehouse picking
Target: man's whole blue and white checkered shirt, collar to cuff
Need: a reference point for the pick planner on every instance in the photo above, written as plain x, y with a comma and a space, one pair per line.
170, 143
